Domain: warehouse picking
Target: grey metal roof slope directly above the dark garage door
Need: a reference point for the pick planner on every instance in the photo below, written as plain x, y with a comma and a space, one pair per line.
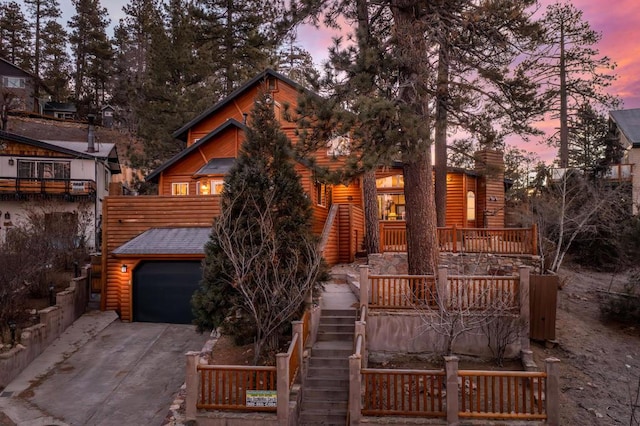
167, 241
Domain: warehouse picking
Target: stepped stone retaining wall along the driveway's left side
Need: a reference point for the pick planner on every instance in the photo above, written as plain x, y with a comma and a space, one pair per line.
70, 304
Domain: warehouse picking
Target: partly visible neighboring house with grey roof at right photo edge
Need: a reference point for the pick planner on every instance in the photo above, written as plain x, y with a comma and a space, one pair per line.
625, 124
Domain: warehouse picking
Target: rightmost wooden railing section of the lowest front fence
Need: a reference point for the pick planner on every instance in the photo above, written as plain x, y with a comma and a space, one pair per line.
502, 394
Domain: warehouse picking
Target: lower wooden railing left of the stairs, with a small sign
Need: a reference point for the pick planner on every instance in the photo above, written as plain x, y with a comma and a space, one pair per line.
224, 387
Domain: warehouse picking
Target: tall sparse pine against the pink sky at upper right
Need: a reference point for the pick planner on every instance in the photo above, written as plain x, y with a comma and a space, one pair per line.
569, 70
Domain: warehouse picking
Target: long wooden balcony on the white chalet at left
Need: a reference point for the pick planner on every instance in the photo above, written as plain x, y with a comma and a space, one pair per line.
12, 188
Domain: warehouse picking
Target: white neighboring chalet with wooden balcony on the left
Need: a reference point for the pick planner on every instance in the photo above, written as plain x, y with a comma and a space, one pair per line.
55, 177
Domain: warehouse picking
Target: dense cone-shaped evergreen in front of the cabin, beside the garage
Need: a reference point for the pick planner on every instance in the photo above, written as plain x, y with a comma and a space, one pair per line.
262, 259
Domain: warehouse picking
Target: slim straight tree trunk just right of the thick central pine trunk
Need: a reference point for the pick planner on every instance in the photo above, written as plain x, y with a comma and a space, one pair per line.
440, 165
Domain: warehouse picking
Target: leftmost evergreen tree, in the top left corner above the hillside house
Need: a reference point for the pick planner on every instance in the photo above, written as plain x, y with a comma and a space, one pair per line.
14, 35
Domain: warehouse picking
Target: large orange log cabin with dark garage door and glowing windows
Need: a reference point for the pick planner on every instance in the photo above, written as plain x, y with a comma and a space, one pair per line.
153, 246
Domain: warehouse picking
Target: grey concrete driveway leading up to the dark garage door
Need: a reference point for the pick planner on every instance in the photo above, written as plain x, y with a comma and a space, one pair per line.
127, 374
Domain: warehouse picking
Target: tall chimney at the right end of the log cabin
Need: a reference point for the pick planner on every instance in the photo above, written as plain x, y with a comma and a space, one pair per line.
490, 198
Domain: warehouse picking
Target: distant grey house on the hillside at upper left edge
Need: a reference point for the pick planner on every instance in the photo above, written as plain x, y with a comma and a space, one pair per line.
17, 88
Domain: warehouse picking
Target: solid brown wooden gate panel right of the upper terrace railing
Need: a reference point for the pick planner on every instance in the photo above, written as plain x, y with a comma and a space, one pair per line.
543, 302
